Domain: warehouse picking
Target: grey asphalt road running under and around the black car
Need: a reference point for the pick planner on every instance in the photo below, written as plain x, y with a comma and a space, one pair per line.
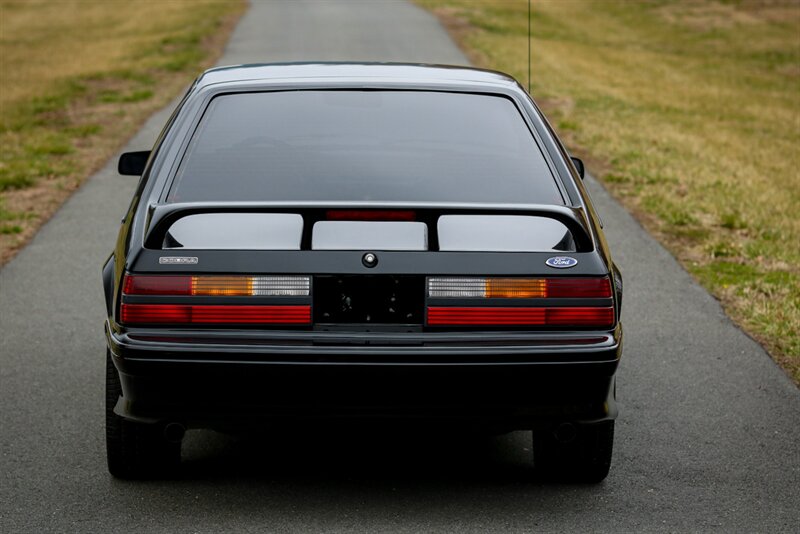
708, 436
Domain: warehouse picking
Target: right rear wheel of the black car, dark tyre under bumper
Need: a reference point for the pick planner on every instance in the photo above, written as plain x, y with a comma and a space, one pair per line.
582, 454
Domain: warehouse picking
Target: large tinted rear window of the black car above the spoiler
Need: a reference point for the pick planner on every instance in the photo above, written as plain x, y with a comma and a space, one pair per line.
363, 146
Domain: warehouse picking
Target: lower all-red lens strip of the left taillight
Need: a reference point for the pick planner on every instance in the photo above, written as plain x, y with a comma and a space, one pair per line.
201, 314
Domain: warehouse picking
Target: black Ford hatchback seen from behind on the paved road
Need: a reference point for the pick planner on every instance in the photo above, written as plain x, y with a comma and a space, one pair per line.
373, 243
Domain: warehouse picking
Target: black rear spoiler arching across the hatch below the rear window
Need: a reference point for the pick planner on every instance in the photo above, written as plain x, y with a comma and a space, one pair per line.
162, 216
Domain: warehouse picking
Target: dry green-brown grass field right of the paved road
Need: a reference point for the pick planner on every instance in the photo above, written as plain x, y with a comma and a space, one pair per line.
689, 112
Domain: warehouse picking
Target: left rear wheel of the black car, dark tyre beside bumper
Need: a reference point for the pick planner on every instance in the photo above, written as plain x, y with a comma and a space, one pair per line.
135, 450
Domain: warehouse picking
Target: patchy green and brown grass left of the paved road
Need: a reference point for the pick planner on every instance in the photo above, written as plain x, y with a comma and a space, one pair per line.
79, 78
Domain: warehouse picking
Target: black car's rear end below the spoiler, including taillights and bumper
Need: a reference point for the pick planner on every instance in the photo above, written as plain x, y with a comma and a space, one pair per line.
495, 336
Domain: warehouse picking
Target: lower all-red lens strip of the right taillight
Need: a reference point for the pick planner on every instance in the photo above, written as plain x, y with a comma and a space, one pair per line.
520, 316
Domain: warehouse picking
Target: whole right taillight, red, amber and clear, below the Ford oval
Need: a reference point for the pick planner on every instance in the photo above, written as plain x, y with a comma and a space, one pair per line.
594, 309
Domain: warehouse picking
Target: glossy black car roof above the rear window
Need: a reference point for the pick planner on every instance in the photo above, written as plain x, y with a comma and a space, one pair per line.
401, 73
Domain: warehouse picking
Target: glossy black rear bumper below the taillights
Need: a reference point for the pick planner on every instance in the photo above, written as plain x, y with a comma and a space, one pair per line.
227, 379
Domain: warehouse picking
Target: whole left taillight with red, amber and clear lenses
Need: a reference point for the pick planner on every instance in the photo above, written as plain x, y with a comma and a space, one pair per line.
160, 311
